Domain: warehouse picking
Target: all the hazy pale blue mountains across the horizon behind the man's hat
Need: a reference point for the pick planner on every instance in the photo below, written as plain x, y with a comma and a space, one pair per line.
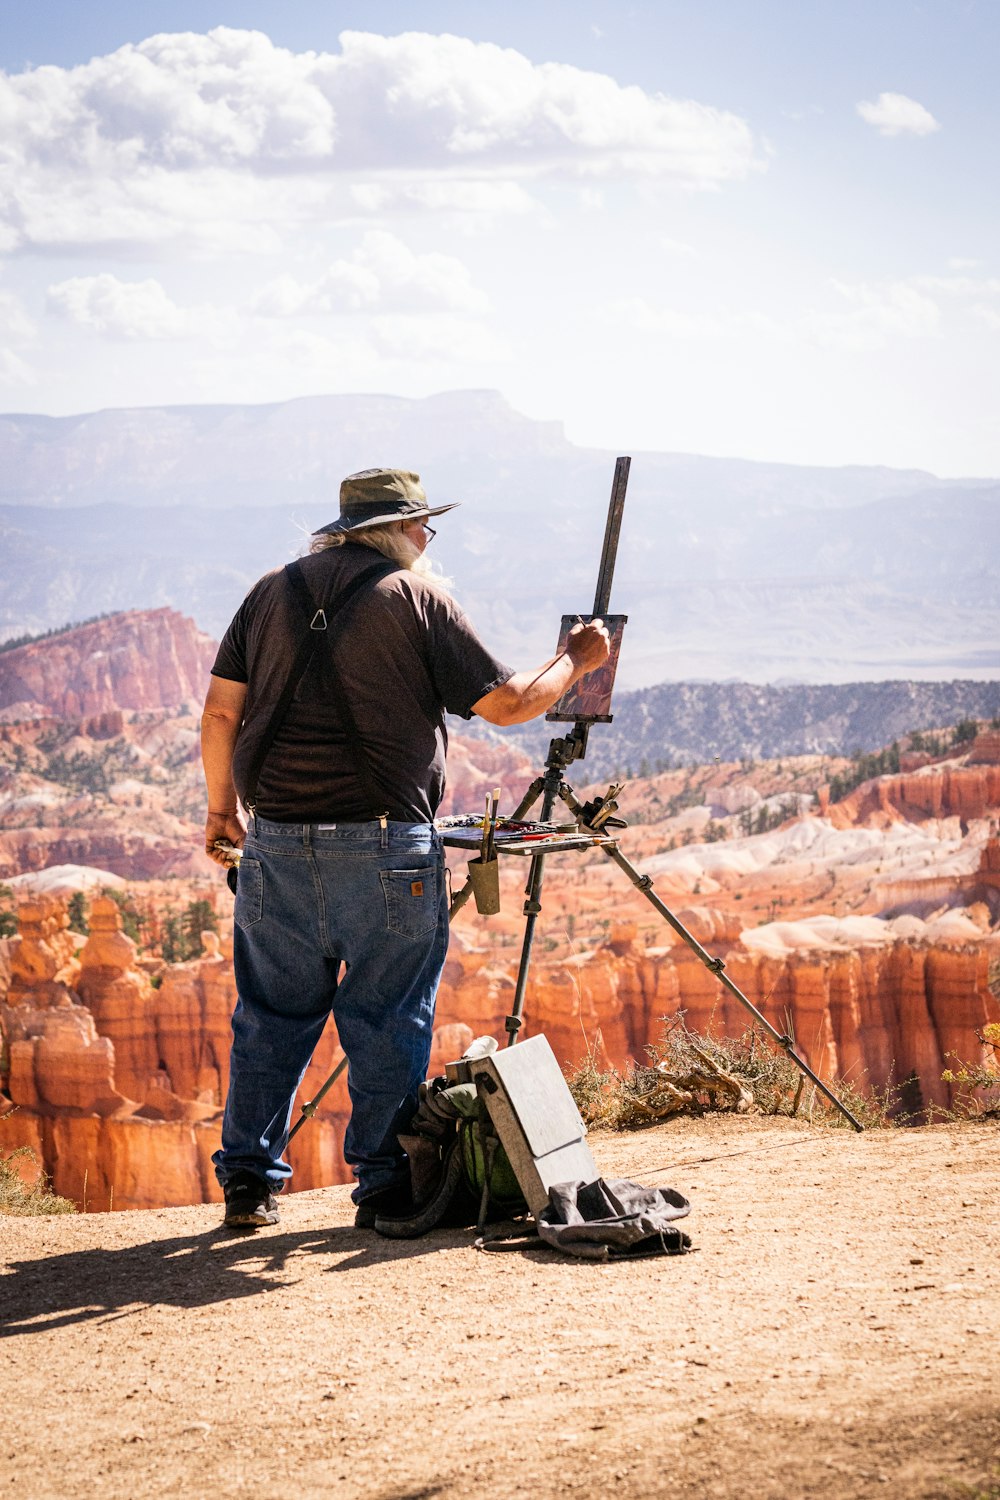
728, 569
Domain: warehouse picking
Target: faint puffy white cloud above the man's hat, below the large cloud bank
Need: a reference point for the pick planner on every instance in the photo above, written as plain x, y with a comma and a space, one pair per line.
382, 275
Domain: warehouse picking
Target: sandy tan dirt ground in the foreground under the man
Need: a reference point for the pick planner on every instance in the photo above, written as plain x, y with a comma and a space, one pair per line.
837, 1333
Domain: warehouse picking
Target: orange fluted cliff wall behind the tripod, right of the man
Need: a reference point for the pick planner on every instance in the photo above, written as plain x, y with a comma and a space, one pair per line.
875, 1016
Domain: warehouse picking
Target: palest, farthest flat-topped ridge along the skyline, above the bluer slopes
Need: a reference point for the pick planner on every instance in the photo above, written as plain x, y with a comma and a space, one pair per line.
299, 451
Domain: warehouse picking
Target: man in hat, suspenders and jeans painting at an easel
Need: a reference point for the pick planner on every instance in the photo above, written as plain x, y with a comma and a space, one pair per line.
341, 862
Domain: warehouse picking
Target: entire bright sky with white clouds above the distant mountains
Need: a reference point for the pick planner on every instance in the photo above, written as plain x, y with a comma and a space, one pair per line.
761, 230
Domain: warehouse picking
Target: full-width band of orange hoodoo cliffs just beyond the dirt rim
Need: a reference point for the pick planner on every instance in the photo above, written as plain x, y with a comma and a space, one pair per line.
119, 1081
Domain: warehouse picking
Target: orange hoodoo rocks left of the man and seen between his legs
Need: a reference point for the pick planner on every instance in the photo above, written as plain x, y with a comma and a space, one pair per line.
119, 1085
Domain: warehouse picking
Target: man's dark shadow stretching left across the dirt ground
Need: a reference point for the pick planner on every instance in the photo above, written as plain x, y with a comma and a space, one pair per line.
218, 1265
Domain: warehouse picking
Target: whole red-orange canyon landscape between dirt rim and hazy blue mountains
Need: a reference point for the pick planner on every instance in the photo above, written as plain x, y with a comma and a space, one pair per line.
866, 923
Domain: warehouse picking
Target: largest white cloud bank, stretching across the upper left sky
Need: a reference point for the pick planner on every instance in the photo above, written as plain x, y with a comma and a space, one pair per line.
190, 136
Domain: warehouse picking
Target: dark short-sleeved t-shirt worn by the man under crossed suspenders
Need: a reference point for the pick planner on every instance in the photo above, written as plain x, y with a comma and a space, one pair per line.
406, 653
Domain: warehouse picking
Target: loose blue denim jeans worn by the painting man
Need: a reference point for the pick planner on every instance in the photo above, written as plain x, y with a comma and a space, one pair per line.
311, 899
